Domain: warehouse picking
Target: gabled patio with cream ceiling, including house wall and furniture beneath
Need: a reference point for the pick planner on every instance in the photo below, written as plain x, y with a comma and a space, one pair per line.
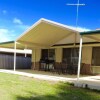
45, 38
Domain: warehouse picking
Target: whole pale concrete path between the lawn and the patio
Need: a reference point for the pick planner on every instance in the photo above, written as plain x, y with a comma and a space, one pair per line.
92, 82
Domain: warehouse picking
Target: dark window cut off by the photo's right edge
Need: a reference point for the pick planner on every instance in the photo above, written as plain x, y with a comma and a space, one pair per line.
96, 56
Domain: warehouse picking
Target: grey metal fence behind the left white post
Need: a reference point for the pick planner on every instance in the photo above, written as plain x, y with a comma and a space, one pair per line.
7, 61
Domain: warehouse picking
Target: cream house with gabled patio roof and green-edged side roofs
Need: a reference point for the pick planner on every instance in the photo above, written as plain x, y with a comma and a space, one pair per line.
51, 40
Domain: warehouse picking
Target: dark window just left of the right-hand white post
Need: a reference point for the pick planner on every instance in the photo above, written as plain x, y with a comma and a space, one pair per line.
70, 55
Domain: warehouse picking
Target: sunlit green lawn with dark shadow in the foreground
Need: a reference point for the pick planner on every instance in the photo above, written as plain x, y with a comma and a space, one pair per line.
14, 87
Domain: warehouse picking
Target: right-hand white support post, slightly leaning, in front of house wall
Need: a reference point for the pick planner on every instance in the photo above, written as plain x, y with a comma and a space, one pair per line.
79, 60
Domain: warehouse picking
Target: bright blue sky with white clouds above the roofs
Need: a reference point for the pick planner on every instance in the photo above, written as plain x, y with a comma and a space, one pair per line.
16, 16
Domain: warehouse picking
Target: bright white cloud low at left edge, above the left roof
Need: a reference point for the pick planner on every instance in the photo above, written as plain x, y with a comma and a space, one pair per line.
6, 35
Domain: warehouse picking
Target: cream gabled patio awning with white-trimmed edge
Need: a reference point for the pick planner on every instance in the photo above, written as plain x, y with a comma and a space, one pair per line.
45, 33
